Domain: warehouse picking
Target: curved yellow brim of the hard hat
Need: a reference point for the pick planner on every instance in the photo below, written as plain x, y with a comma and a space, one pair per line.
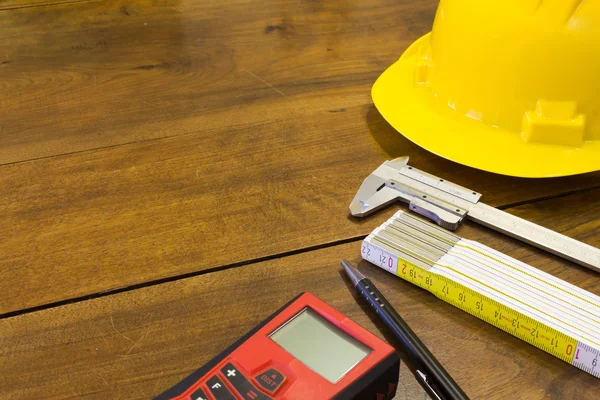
414, 112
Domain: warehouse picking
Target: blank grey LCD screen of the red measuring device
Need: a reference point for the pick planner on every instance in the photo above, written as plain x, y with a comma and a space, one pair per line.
319, 345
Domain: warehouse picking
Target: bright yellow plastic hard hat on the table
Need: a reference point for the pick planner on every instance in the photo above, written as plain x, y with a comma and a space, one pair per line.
508, 86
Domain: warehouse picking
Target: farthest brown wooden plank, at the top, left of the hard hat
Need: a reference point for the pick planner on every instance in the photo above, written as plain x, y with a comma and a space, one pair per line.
96, 74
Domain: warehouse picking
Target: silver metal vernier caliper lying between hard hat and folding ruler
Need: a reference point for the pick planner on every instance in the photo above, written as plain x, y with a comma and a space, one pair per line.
447, 204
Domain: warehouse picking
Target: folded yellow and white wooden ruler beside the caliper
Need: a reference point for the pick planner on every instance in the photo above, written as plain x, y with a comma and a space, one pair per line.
536, 307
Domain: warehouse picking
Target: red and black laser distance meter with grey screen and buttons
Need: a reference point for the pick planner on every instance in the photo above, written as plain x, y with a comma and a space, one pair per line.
306, 350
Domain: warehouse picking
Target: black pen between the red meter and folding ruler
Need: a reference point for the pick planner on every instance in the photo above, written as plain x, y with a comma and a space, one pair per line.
427, 370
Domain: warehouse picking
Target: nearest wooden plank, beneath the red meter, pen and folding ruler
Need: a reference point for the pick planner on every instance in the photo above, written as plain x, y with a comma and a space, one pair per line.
135, 344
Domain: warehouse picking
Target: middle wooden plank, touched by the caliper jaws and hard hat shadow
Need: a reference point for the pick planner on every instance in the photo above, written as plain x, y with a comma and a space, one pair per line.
91, 222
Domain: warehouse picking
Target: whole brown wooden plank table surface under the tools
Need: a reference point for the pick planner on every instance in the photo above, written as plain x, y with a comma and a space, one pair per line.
171, 172
